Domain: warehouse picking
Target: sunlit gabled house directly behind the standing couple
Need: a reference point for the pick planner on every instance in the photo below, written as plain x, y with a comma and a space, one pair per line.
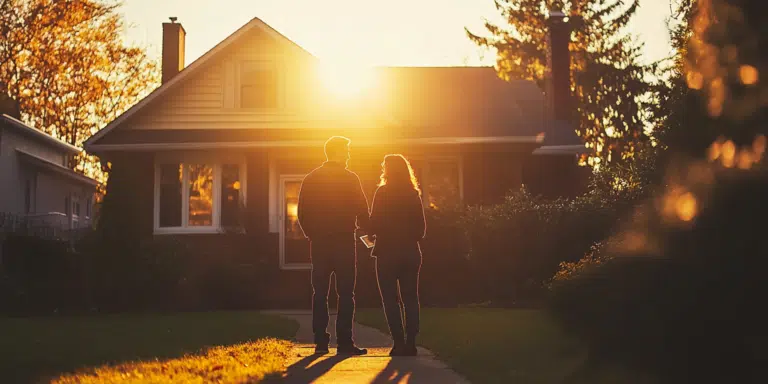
216, 155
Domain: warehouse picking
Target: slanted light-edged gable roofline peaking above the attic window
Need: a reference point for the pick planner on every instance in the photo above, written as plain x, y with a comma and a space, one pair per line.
193, 68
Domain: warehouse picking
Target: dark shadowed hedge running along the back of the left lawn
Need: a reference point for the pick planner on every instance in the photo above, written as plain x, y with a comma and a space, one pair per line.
156, 274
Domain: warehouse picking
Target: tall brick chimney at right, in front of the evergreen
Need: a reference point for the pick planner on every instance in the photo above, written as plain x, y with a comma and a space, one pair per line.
559, 99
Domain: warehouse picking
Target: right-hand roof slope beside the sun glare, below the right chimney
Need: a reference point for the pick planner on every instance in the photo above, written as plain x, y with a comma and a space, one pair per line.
450, 101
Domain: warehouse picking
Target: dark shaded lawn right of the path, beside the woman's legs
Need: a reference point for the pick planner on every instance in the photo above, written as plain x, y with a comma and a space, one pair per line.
504, 346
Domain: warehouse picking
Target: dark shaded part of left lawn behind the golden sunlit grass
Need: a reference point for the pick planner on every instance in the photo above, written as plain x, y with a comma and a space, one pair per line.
32, 349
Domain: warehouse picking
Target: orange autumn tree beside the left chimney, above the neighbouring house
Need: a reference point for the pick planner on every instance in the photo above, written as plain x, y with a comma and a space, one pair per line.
66, 64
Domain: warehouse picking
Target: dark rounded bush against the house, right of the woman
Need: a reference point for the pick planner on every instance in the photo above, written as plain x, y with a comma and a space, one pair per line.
517, 245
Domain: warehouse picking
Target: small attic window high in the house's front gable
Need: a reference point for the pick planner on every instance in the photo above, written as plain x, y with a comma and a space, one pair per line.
259, 86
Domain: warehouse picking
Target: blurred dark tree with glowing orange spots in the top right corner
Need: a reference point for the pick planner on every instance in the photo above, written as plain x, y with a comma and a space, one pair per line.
714, 92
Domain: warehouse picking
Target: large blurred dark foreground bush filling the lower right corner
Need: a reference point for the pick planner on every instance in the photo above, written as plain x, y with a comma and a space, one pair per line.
679, 293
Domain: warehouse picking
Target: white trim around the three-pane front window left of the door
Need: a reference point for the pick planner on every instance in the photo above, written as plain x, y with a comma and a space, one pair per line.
217, 174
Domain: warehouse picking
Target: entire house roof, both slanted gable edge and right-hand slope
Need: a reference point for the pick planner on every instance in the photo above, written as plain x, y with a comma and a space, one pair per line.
417, 102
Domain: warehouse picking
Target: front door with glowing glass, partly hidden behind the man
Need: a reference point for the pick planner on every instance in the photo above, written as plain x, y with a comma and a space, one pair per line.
294, 247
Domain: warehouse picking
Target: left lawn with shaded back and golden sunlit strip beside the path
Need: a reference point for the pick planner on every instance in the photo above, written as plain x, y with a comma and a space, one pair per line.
141, 348
